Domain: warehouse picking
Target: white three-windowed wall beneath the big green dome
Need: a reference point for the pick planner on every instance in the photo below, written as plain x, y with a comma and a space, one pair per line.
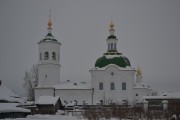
117, 95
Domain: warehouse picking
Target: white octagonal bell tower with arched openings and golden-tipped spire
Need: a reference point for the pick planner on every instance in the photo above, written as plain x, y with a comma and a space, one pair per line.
49, 59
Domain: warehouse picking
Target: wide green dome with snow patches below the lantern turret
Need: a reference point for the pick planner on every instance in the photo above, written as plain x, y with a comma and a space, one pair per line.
120, 61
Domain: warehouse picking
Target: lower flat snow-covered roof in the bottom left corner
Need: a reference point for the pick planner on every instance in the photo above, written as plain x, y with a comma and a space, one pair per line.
11, 107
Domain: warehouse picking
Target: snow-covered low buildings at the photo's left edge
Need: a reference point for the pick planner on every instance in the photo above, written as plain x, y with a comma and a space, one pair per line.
9, 103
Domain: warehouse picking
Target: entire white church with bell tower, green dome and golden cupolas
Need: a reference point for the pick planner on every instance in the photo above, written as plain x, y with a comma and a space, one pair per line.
113, 80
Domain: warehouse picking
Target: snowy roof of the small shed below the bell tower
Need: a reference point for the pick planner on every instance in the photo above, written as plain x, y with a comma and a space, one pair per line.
47, 100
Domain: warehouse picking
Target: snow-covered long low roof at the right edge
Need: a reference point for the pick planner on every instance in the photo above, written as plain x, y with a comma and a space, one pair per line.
172, 95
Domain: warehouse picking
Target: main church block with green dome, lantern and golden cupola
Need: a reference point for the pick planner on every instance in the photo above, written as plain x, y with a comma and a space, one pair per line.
112, 76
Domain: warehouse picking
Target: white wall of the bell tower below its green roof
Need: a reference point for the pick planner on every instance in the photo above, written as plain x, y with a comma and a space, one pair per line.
49, 70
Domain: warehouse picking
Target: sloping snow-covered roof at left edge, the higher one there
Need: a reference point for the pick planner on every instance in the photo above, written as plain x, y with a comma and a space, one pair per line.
7, 95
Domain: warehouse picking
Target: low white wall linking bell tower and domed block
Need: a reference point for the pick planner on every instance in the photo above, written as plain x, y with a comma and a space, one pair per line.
75, 94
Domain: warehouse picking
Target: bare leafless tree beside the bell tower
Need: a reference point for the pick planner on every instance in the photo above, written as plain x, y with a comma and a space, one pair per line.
31, 81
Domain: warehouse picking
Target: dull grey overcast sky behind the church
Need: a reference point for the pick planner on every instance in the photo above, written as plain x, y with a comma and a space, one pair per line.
148, 33
